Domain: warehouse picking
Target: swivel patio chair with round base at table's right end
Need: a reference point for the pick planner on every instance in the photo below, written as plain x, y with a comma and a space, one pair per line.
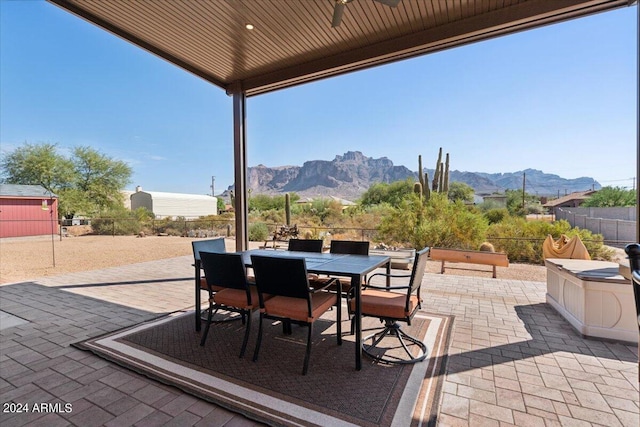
393, 304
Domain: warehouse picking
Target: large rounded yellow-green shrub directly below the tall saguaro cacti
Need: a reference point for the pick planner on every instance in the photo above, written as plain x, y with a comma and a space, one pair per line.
437, 222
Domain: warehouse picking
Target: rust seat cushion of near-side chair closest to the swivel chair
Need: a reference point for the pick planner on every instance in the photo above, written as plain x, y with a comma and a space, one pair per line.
296, 308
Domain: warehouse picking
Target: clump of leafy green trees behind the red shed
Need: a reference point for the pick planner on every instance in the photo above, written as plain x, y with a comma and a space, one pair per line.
89, 182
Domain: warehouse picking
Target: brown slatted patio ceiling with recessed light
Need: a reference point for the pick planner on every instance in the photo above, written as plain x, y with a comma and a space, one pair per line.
293, 41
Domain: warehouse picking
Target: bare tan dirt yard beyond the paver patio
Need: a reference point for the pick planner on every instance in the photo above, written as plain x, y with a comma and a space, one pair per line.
29, 258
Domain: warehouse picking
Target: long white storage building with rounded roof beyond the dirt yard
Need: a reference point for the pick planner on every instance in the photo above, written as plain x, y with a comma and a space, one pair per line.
174, 204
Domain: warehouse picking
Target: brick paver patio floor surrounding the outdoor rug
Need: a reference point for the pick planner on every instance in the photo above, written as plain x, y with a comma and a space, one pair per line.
512, 361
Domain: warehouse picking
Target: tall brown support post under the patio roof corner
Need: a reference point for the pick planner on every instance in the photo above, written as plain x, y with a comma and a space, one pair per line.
240, 169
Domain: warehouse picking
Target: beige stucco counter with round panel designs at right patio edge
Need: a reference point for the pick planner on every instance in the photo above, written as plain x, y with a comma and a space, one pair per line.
594, 297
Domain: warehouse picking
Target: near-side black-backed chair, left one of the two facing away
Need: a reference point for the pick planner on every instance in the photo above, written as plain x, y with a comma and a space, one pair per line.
226, 273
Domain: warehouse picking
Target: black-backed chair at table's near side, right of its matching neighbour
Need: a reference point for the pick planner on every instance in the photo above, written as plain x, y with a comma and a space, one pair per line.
292, 299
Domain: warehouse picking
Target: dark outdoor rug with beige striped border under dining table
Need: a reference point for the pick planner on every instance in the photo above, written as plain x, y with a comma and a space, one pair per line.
273, 390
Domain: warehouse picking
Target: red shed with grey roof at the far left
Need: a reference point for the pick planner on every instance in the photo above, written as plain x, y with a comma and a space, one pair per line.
27, 210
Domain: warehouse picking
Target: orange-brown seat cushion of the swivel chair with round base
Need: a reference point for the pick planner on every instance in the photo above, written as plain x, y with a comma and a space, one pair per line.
384, 304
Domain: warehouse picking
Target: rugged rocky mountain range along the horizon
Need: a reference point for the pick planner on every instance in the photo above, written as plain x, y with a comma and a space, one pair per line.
351, 174
